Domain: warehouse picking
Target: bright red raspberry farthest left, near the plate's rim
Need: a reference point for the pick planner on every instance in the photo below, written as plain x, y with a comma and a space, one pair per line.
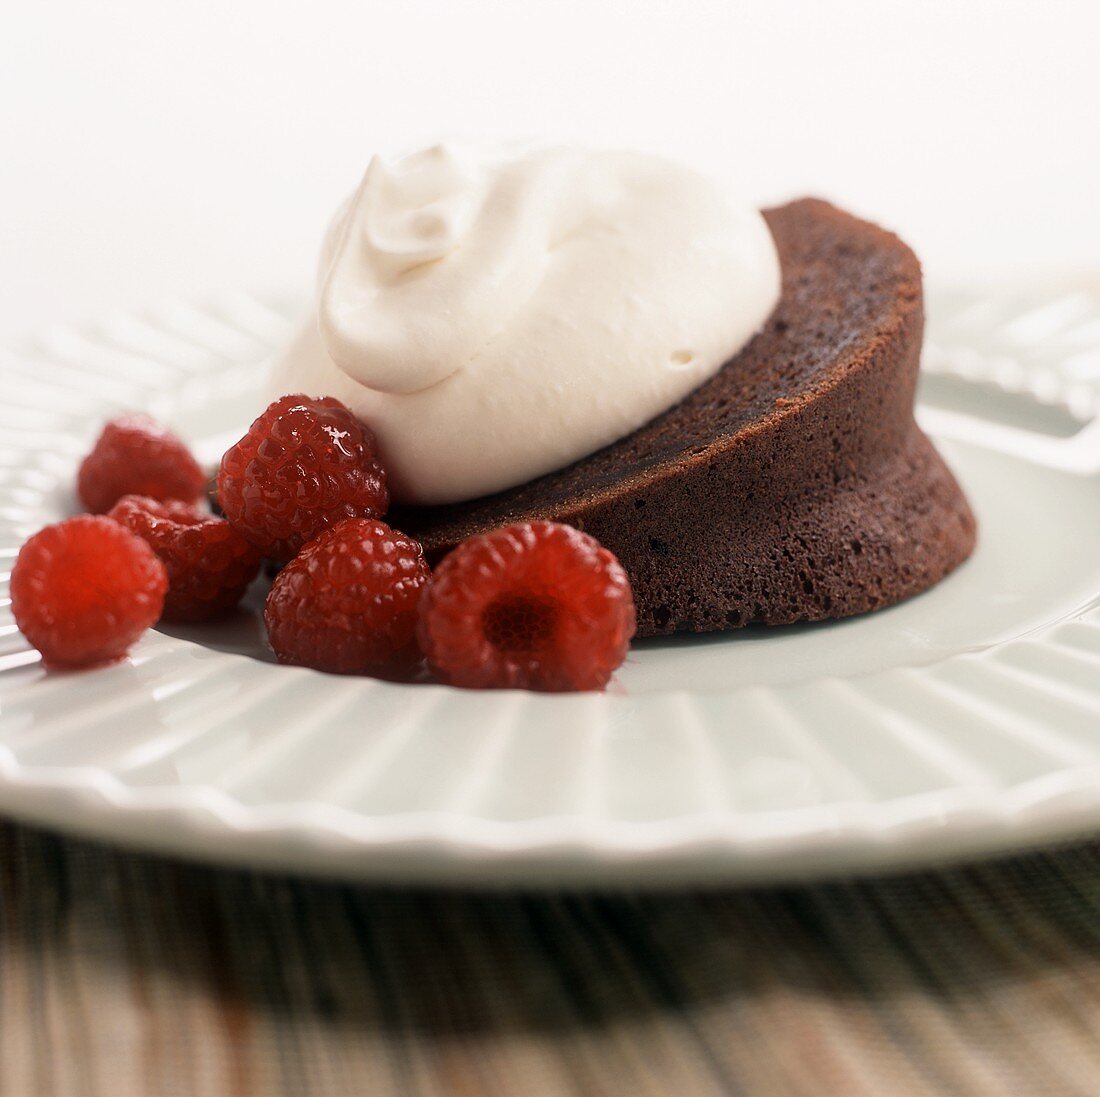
84, 591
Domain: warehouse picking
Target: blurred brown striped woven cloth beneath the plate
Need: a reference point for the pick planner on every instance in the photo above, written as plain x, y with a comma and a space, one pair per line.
129, 975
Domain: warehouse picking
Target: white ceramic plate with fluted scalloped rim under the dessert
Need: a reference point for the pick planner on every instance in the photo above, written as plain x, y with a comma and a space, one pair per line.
965, 721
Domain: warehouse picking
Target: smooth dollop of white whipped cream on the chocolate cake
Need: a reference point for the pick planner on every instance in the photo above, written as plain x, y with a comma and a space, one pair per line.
497, 314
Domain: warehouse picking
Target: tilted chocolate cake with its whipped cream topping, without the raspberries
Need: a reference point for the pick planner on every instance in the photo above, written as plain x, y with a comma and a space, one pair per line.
724, 400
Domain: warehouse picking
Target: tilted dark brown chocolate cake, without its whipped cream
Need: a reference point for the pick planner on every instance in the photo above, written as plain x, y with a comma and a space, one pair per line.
796, 485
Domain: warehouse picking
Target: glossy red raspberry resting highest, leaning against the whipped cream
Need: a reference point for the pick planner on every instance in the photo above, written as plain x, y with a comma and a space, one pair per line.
304, 466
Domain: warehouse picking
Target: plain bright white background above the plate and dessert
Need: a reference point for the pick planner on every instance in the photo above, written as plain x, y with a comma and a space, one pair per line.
152, 149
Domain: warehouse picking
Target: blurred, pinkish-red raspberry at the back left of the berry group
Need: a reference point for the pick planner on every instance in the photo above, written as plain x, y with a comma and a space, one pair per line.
136, 456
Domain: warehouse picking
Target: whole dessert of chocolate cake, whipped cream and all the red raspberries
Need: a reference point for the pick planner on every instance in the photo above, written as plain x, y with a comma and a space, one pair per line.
592, 396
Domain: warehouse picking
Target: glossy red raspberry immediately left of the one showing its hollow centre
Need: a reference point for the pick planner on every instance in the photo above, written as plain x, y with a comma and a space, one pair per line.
348, 602
